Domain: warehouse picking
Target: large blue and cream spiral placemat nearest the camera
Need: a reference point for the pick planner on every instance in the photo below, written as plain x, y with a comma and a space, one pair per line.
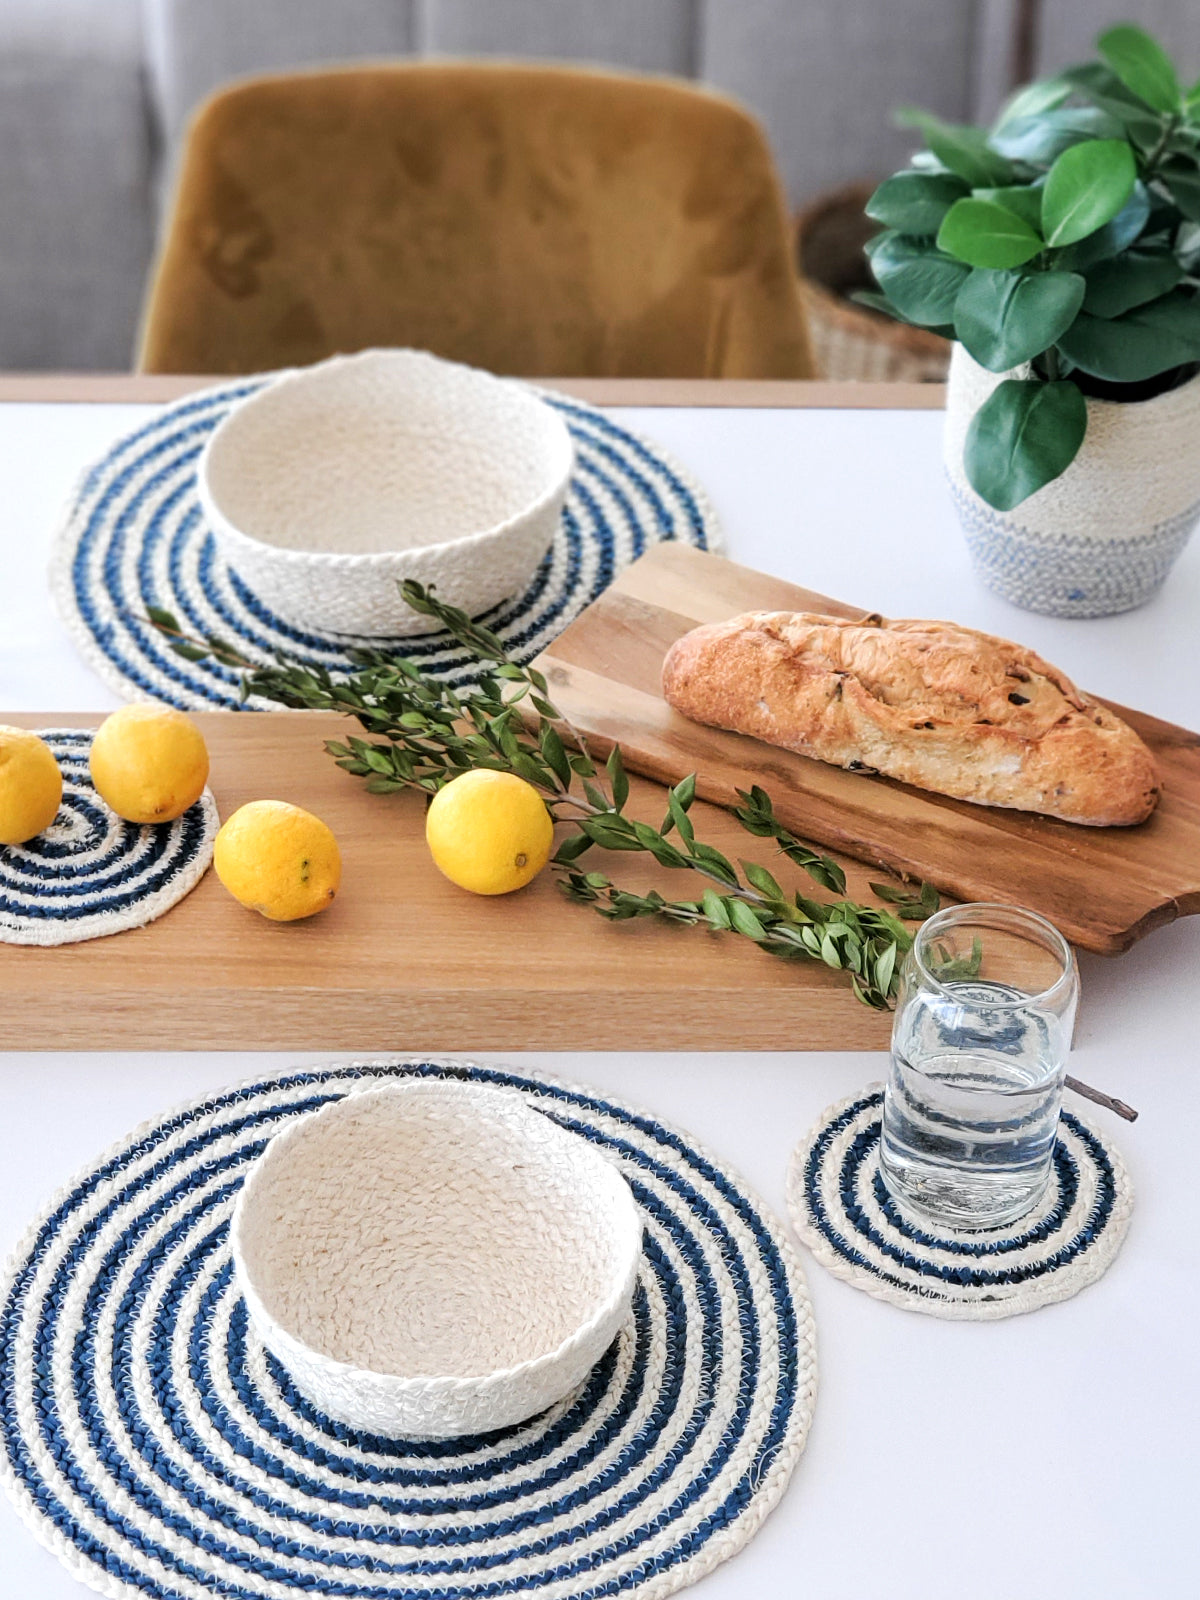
150, 1441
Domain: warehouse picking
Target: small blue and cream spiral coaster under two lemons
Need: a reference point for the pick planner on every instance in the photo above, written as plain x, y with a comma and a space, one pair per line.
92, 874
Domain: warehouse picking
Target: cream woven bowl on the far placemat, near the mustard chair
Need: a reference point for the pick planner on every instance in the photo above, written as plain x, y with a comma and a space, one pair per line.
335, 482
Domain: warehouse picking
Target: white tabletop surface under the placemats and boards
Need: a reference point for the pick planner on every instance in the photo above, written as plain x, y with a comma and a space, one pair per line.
1054, 1455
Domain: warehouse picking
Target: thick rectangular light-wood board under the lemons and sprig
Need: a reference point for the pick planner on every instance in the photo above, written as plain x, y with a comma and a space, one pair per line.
404, 961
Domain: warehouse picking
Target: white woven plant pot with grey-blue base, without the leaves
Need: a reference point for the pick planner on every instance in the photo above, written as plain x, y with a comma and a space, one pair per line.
1103, 537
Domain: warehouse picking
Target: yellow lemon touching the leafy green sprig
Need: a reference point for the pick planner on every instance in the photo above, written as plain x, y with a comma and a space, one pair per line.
489, 833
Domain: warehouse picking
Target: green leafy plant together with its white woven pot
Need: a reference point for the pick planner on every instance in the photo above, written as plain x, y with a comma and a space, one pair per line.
1062, 252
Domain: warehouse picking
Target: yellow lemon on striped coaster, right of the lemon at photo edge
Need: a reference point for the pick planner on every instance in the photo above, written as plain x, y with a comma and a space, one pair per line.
150, 764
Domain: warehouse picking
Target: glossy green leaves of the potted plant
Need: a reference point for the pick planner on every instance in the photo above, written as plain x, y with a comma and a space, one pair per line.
1066, 239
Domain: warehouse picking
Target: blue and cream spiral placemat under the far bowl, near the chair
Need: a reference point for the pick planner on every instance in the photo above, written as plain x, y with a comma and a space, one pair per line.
135, 537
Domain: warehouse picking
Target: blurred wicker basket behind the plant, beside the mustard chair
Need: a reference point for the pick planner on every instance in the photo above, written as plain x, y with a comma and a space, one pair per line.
850, 340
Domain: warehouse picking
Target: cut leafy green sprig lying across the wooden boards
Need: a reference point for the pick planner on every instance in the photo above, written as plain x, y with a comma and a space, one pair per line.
423, 734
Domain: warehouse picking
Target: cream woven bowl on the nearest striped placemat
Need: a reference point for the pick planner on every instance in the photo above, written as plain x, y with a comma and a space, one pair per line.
436, 1258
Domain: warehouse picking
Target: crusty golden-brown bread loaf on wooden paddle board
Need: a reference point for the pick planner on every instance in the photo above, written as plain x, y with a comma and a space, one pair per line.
929, 703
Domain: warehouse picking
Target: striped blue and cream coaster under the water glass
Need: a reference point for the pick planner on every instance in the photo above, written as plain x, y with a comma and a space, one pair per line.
857, 1231
